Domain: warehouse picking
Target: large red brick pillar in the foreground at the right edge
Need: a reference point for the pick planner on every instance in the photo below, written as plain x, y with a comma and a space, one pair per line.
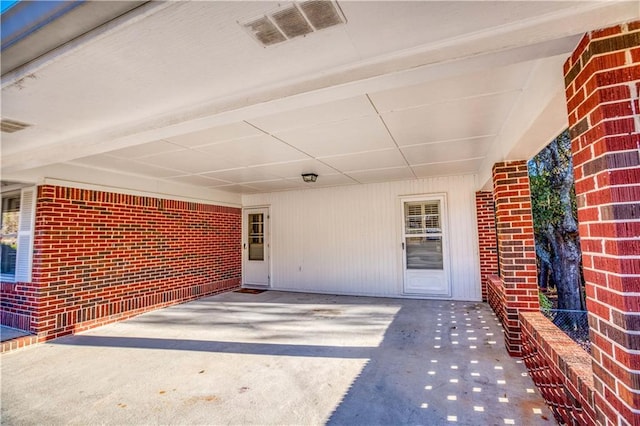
602, 79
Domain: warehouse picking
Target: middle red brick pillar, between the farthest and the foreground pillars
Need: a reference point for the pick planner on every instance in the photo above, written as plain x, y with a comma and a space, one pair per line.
516, 247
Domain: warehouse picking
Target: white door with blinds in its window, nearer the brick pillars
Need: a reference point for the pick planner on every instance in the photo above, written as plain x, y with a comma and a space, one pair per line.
424, 246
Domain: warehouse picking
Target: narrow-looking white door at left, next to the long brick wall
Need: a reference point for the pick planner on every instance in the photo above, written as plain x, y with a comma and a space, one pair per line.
255, 245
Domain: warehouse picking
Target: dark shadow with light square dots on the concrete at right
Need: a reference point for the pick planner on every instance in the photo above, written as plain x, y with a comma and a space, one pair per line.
427, 371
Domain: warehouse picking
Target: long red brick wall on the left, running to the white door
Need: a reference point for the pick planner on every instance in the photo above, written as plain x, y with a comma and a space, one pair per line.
101, 257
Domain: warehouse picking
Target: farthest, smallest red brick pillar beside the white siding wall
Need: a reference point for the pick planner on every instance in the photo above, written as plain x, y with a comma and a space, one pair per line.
487, 242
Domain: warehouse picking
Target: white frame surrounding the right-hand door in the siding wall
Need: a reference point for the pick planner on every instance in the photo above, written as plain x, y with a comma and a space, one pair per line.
446, 262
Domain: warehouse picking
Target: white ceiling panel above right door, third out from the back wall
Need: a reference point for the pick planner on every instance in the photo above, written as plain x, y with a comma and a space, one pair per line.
458, 119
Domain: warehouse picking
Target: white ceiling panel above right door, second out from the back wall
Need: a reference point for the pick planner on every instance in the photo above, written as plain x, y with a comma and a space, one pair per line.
447, 151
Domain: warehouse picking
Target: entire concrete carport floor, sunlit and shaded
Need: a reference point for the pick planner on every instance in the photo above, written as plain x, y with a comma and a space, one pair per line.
278, 358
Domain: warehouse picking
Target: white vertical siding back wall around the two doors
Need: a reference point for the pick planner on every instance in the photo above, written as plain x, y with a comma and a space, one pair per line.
347, 239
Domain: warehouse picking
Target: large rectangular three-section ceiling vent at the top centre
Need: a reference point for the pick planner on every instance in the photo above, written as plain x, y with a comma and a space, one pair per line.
294, 20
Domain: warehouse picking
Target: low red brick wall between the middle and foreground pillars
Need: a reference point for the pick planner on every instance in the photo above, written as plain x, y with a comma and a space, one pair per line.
560, 368
